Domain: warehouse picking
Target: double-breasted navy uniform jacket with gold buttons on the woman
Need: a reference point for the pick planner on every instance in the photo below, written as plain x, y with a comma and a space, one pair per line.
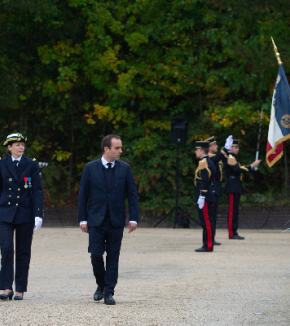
17, 204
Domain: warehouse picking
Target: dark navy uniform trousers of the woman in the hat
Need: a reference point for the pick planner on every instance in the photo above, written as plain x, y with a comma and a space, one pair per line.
24, 233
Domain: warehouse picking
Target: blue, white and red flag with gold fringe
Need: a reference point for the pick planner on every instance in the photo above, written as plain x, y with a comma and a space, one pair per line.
279, 127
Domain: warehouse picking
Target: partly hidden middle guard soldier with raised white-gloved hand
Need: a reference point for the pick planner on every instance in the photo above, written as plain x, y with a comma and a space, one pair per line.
218, 160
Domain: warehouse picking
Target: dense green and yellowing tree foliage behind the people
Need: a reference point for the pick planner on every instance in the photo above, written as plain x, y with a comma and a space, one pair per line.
73, 71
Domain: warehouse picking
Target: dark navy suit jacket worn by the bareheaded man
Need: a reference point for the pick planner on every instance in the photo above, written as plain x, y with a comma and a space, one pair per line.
94, 197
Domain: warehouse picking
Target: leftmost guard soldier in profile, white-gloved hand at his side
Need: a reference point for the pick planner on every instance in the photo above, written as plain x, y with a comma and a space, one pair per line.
204, 194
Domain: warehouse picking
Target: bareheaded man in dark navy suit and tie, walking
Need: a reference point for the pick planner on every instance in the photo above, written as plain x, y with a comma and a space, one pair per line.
101, 212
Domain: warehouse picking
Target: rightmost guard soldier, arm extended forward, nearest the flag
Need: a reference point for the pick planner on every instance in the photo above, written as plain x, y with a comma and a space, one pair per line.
233, 187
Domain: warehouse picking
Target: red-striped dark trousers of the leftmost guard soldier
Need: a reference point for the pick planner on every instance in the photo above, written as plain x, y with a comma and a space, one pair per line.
207, 223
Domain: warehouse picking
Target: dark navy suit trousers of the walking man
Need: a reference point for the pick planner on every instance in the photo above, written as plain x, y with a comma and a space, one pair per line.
105, 238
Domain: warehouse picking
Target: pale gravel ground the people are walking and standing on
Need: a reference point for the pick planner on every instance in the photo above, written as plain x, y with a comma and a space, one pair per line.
162, 281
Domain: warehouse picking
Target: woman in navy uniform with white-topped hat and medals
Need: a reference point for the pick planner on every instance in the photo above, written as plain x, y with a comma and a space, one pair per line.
21, 208
